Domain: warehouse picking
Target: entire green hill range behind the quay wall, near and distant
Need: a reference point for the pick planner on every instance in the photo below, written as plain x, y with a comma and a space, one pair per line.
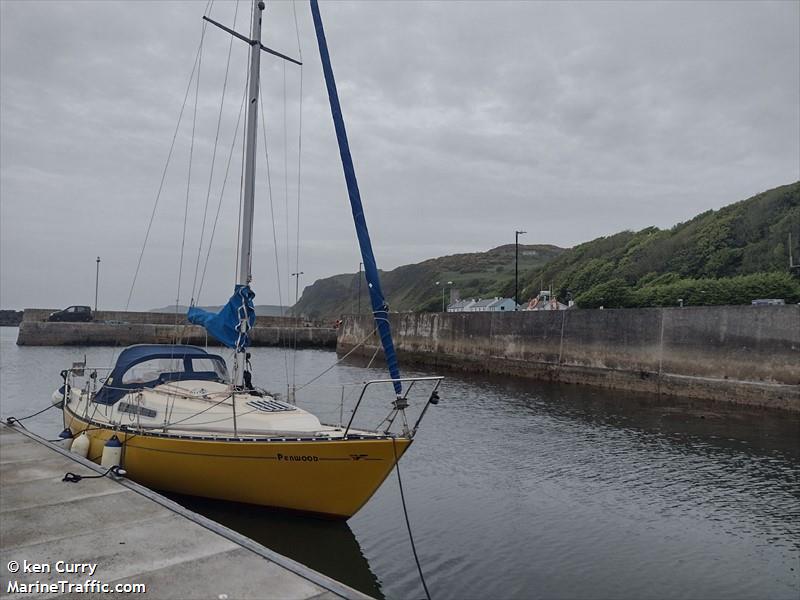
728, 256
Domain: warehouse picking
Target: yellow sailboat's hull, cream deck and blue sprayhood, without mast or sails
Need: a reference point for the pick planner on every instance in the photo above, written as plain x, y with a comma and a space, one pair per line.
190, 431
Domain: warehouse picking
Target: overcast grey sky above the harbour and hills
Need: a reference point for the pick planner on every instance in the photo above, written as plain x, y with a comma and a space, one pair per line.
467, 120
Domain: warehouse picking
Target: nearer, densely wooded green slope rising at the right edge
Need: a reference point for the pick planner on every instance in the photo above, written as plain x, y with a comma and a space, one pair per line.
744, 238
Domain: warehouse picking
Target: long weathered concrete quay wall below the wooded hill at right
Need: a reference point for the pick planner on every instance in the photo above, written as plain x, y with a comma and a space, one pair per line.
742, 354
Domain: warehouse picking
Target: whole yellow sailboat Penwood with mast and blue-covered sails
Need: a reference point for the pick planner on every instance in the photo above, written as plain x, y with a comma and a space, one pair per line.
175, 420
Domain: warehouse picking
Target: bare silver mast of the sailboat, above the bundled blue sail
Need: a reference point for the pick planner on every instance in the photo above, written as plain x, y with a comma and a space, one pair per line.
244, 273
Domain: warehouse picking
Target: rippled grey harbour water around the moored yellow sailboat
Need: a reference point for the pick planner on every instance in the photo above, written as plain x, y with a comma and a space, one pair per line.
519, 489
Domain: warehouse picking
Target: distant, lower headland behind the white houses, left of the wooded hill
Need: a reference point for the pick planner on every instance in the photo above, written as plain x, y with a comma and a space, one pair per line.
413, 287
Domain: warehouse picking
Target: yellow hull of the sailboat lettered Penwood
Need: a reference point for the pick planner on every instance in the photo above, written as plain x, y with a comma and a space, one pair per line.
334, 478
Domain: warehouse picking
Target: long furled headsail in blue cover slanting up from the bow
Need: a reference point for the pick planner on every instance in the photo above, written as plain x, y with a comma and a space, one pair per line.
379, 307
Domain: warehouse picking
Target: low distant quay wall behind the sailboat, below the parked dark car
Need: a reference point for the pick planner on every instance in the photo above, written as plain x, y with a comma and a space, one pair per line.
42, 333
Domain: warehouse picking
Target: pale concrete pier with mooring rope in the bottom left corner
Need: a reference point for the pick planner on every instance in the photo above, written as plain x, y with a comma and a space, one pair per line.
118, 533
